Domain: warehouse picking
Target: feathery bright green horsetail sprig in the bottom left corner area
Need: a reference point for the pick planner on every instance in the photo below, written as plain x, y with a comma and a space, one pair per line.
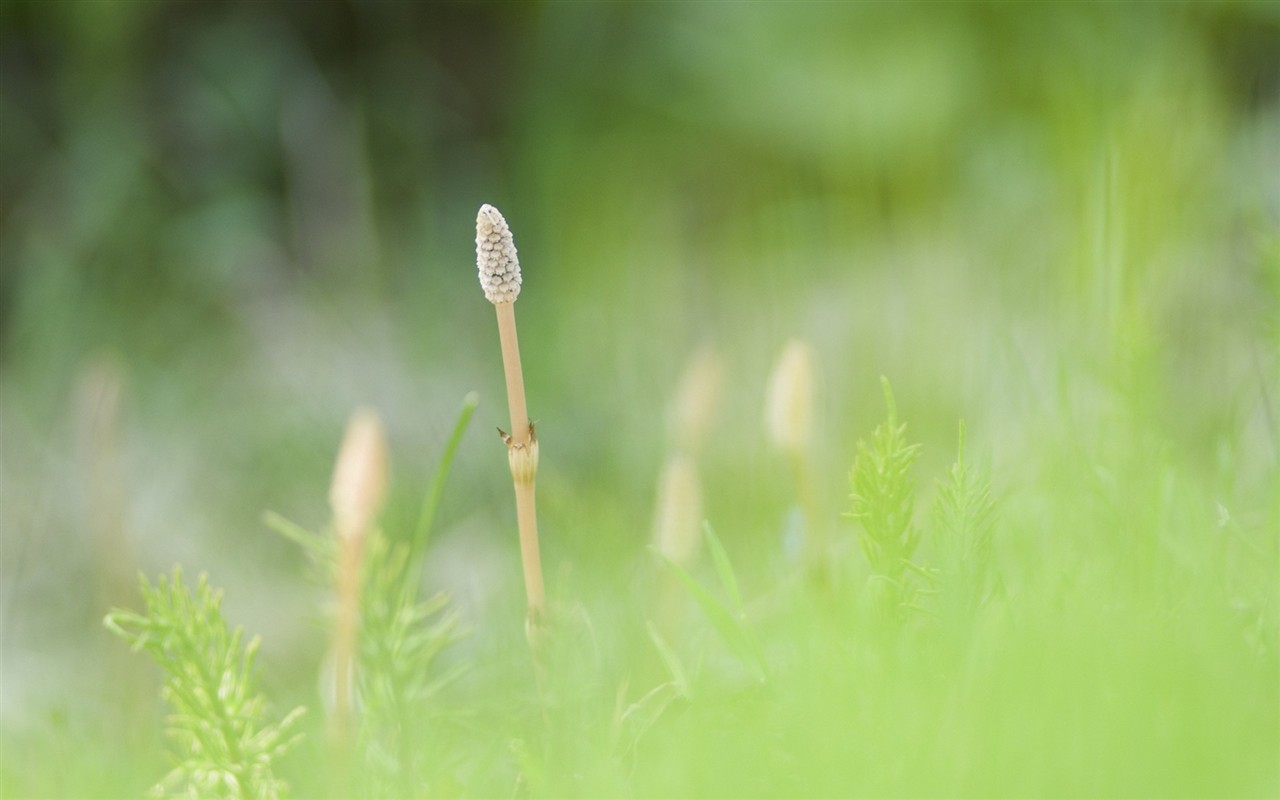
223, 744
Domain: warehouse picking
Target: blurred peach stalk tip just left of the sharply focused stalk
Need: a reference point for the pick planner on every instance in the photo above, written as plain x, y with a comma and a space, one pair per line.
360, 477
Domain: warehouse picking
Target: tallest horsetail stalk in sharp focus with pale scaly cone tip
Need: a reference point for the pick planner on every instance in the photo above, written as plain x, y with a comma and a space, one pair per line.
500, 278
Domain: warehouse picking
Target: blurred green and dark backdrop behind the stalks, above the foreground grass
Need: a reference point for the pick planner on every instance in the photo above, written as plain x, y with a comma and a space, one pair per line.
225, 226
